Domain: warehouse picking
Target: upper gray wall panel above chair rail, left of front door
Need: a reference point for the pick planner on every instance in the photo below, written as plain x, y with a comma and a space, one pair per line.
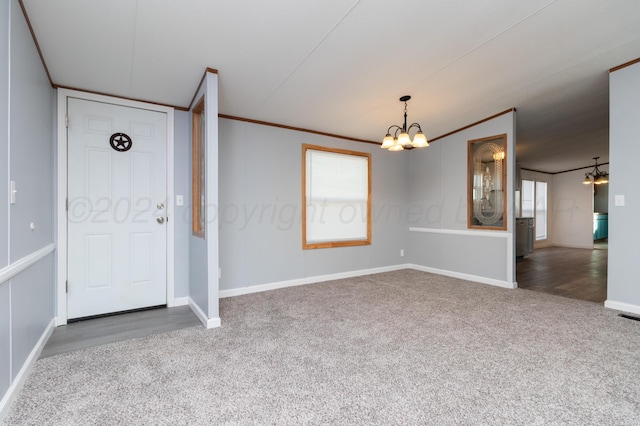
31, 162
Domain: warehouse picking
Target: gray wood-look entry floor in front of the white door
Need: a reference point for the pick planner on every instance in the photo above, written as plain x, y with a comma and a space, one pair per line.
99, 331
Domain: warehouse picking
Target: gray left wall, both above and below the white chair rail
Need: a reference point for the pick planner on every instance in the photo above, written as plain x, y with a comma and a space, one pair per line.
26, 129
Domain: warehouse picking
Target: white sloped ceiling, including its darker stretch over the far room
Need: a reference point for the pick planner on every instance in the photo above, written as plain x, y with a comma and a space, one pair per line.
339, 66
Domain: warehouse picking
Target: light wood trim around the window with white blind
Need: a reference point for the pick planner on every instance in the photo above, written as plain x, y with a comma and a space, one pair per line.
333, 244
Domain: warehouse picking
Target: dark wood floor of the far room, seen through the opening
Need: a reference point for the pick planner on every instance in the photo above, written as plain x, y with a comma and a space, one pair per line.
575, 273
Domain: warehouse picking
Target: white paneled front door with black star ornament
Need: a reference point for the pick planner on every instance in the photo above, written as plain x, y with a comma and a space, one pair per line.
116, 216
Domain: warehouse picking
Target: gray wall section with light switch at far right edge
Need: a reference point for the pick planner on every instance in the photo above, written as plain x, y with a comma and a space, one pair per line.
624, 152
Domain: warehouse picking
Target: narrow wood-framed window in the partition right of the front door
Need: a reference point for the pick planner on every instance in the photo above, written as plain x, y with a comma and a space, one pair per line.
198, 168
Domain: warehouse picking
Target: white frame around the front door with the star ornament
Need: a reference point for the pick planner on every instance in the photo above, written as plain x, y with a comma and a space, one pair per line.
61, 191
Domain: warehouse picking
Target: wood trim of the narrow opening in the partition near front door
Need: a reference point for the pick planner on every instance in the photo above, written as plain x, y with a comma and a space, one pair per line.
197, 212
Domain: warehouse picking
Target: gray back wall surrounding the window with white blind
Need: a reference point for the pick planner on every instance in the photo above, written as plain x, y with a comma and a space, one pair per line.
261, 207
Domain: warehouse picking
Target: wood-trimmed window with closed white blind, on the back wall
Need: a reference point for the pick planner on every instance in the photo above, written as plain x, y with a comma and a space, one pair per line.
336, 197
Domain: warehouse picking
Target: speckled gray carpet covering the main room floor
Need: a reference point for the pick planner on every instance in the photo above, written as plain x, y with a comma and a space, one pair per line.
403, 347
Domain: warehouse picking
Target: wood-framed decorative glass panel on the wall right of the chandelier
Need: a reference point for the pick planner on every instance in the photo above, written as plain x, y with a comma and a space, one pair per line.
487, 182
